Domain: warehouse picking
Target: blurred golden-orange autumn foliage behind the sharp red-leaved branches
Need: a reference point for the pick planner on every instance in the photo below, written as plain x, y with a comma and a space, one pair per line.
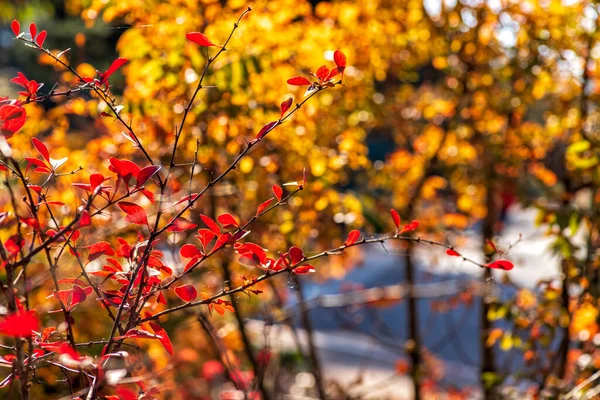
452, 112
